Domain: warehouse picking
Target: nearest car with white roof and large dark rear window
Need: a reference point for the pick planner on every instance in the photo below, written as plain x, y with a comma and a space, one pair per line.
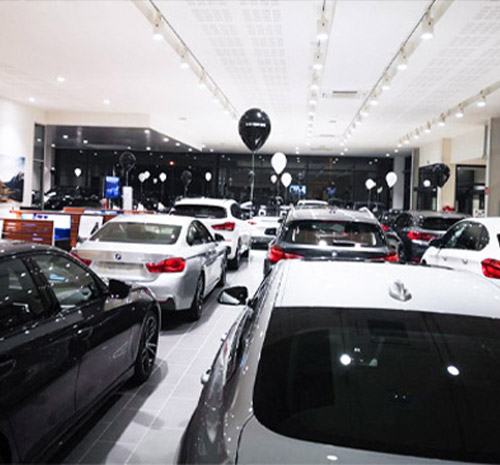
357, 363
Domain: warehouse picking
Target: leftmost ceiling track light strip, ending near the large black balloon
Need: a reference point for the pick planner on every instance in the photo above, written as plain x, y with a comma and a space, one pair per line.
163, 30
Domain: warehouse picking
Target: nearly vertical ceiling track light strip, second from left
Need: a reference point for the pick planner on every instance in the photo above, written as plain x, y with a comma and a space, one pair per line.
322, 37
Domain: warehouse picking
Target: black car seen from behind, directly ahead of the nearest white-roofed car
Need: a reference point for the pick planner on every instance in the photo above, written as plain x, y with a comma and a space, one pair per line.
329, 233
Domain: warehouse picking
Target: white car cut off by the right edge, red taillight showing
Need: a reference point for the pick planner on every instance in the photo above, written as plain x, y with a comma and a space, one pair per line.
472, 244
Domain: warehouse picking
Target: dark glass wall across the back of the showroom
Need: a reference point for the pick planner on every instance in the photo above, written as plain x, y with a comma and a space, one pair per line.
321, 177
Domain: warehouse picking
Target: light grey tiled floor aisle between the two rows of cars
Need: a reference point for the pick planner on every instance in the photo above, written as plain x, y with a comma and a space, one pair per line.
144, 425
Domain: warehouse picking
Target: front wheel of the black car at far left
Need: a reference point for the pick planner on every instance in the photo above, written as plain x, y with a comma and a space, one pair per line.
148, 345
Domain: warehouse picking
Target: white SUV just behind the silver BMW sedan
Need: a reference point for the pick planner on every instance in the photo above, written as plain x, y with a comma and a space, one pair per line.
224, 217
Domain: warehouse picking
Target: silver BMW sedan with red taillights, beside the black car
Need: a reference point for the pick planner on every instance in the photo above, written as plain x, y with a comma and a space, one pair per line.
176, 257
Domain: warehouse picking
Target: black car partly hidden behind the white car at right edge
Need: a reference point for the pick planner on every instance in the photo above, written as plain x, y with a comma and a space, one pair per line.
417, 229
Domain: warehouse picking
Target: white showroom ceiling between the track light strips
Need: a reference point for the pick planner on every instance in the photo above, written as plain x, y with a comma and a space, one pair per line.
260, 54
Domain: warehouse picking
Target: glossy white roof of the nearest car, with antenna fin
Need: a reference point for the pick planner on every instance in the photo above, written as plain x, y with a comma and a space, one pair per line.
367, 285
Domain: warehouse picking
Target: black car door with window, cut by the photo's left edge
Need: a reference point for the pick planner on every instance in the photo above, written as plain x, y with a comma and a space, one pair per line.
38, 359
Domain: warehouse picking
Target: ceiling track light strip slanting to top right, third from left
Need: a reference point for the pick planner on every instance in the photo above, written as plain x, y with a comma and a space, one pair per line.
422, 31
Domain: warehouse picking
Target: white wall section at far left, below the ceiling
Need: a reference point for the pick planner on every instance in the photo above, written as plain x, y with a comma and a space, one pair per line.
17, 129
